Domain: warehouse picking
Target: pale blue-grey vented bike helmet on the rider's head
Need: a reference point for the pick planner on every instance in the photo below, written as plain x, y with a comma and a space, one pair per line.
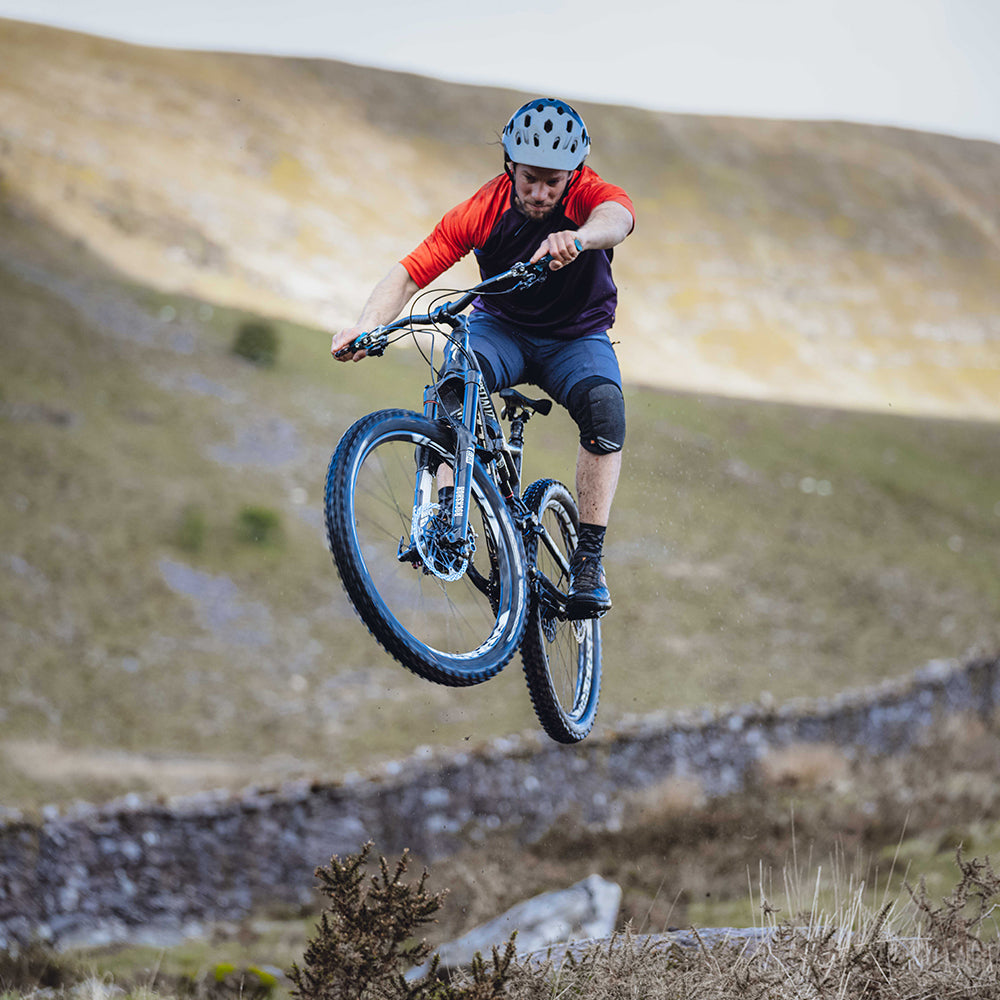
547, 133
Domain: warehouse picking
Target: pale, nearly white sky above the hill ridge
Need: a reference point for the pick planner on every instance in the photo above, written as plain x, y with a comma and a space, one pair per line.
932, 65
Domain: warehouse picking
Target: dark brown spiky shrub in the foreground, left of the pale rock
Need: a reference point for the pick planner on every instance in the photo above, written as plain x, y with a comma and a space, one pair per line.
364, 941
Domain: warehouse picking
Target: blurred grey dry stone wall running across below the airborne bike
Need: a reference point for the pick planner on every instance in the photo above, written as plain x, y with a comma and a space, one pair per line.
132, 869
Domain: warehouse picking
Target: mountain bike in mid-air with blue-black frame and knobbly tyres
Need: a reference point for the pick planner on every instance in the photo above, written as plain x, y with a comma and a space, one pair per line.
452, 568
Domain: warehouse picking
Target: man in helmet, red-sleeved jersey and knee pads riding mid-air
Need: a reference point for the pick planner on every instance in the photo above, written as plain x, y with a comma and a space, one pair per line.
556, 334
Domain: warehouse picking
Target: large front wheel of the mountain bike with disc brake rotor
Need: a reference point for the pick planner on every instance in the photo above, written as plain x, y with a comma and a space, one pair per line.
456, 623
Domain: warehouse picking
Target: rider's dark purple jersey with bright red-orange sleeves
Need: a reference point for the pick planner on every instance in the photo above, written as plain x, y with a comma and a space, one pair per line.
575, 300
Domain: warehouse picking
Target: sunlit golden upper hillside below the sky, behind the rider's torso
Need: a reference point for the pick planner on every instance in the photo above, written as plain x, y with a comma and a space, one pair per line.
823, 263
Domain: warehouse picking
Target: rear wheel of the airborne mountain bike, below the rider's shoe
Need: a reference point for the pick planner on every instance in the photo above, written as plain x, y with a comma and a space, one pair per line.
562, 658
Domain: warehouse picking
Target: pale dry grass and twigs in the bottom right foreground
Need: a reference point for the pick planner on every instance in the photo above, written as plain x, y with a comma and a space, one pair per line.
914, 950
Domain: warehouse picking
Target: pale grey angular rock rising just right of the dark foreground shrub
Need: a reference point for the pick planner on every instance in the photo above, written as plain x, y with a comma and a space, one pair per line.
586, 910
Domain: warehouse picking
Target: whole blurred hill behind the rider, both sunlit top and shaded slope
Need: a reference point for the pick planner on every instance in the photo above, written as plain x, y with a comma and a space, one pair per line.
810, 330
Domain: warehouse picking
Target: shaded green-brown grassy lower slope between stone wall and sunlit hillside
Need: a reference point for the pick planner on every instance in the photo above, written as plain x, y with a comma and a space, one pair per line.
125, 417
